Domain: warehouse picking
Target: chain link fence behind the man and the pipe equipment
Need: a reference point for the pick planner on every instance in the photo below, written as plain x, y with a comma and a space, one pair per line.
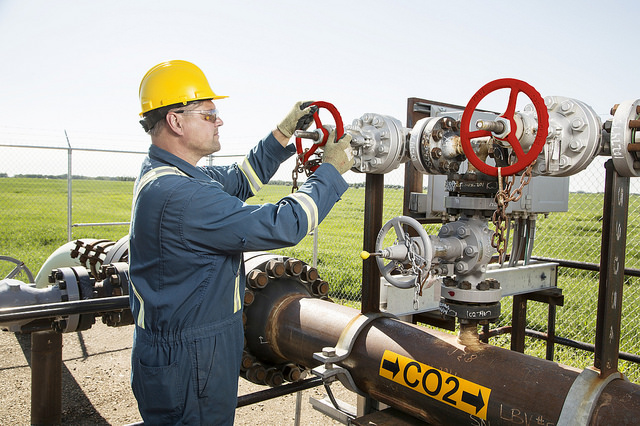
38, 217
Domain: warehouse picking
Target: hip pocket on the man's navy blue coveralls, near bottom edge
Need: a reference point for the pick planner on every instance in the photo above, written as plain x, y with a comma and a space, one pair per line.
158, 390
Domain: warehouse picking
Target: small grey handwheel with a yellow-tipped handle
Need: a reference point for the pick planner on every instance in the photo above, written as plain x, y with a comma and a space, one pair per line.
410, 256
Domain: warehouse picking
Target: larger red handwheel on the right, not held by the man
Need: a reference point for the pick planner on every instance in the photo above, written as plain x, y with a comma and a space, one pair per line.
524, 158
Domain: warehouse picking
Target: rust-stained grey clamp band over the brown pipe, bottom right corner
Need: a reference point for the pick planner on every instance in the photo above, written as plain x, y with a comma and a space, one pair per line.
581, 398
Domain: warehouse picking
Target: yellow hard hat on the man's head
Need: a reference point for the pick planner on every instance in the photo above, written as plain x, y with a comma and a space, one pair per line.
174, 82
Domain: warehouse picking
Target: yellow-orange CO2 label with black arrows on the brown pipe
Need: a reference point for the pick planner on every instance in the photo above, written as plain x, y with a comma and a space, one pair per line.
452, 390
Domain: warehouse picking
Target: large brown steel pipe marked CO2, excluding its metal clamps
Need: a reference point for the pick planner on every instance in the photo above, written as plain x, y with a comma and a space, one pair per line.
523, 389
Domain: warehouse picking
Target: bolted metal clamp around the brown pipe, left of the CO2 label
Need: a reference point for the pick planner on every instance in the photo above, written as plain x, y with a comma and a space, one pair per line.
329, 356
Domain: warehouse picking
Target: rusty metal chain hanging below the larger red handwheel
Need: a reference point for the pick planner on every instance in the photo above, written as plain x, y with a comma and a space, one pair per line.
503, 197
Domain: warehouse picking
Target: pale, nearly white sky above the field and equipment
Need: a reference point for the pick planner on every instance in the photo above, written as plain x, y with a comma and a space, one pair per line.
77, 65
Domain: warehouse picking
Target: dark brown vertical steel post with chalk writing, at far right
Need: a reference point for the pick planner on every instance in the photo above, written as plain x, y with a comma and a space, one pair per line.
612, 260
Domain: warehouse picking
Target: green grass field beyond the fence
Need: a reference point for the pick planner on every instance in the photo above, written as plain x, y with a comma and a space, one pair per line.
34, 223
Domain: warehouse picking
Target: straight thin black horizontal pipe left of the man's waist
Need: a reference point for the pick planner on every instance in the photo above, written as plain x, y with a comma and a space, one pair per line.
52, 310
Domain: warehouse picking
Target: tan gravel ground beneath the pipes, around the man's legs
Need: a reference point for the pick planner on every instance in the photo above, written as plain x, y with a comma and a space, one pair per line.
96, 391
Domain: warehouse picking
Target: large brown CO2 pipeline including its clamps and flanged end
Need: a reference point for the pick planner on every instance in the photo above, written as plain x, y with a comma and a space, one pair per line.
433, 376
